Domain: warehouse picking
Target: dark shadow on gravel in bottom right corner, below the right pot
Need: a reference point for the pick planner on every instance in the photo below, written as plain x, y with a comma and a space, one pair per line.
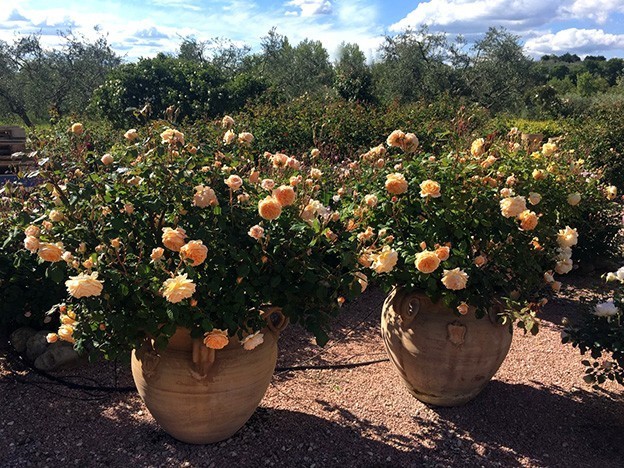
539, 424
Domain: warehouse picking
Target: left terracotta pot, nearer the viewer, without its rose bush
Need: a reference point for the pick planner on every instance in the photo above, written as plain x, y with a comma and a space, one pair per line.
200, 395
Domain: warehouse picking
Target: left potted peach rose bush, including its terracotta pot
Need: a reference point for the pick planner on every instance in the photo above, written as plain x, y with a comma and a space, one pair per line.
194, 258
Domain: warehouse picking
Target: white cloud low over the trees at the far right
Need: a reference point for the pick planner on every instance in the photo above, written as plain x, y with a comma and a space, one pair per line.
580, 41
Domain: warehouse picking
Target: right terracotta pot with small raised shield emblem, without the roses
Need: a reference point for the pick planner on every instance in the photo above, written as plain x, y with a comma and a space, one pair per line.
443, 359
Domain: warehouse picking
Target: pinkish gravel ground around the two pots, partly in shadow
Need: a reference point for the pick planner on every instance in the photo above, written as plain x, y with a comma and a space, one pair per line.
536, 411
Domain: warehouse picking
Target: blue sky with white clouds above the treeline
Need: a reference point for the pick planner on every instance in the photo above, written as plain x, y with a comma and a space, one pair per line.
142, 28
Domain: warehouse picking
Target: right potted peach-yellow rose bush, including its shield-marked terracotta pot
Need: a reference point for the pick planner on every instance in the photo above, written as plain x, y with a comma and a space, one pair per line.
469, 242
